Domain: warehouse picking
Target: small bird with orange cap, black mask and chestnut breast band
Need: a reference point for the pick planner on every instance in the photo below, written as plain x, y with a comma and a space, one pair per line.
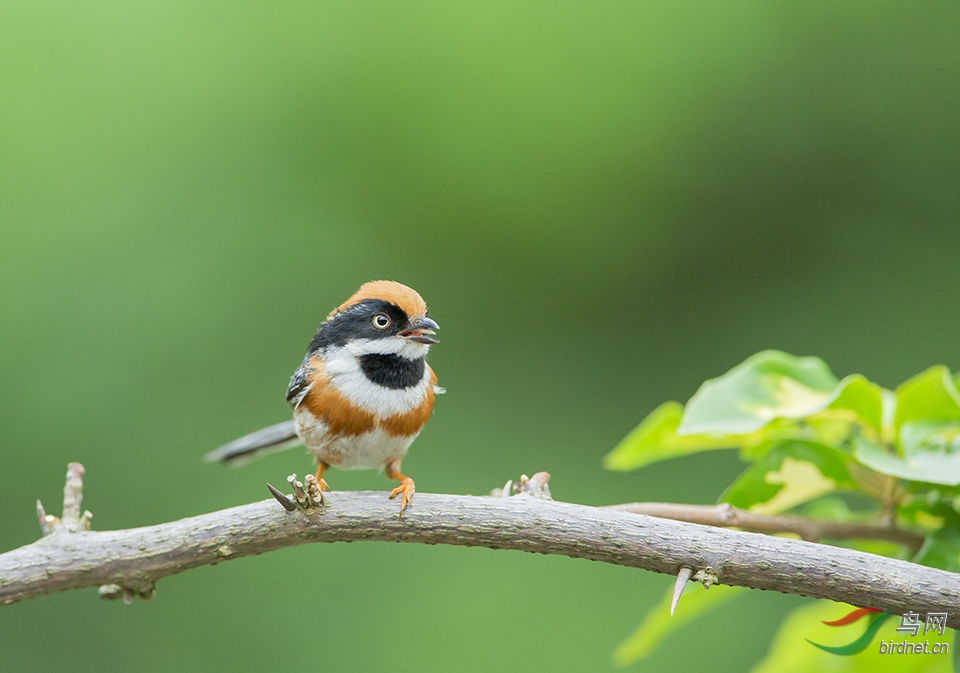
363, 392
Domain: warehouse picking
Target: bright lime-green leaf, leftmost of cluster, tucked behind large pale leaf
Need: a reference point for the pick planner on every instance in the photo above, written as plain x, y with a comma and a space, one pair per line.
656, 439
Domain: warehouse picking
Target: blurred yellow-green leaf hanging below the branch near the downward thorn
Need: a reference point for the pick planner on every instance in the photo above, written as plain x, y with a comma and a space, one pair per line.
659, 623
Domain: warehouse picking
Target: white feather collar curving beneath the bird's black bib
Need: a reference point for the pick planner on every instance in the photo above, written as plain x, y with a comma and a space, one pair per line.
350, 381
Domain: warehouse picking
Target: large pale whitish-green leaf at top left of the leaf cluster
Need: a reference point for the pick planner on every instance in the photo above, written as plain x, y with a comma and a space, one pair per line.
768, 385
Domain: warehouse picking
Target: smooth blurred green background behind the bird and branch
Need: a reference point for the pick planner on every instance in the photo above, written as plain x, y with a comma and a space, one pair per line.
602, 203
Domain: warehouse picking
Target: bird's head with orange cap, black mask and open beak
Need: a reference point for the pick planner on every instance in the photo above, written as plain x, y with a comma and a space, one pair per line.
382, 317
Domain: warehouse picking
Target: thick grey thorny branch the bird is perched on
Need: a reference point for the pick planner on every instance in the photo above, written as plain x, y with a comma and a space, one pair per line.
128, 562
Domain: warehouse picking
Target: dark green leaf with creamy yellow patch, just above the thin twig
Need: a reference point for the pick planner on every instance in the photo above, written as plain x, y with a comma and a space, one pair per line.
791, 473
